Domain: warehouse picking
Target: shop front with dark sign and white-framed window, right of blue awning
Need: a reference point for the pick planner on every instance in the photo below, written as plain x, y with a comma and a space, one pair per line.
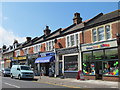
70, 62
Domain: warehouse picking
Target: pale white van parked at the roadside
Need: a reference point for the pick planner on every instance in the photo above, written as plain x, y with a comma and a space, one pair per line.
21, 71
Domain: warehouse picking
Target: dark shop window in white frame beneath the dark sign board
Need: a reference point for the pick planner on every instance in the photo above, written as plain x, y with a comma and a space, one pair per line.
71, 63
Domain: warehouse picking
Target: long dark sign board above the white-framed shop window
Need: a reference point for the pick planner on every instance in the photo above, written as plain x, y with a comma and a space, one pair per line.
67, 51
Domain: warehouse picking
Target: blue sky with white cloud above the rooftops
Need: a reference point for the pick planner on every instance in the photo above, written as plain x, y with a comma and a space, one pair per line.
28, 19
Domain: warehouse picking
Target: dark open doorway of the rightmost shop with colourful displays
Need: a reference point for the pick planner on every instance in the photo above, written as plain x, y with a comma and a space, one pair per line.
98, 70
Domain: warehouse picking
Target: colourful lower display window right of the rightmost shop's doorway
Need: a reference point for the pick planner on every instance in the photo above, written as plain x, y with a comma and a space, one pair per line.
110, 68
